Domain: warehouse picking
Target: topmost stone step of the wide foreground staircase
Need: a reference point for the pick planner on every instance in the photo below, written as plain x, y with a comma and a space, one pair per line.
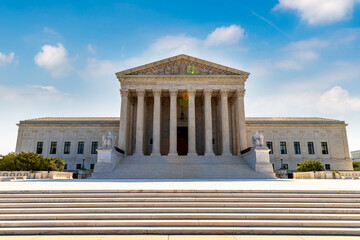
178, 195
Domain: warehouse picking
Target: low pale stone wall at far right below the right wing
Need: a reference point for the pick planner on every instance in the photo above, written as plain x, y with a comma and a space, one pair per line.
326, 175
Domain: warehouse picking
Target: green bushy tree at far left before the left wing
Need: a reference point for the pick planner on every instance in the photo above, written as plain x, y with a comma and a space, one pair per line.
30, 162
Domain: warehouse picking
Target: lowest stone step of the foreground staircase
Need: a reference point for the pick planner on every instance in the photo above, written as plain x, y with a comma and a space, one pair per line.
182, 230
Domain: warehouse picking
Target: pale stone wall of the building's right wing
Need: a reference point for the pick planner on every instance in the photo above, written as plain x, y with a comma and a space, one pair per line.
299, 131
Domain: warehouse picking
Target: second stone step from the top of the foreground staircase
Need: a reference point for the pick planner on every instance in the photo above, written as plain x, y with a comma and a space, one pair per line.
176, 199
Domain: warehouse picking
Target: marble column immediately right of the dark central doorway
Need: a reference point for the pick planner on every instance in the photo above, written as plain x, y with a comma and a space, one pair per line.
191, 124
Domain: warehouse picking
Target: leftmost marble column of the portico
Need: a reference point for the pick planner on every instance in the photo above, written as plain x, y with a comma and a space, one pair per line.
123, 119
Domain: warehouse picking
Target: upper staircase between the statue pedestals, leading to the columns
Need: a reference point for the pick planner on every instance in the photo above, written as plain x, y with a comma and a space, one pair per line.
180, 167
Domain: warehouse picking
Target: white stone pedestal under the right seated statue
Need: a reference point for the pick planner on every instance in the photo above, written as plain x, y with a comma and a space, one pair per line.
258, 158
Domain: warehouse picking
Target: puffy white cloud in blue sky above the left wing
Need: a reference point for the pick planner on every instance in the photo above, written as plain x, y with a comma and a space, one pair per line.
54, 59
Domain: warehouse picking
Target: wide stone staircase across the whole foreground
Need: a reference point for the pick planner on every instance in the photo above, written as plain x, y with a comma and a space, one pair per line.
180, 212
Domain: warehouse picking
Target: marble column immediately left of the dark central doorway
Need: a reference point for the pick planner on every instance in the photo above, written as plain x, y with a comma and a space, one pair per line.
173, 123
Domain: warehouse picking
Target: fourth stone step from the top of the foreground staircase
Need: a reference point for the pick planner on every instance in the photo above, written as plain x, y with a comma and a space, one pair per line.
179, 210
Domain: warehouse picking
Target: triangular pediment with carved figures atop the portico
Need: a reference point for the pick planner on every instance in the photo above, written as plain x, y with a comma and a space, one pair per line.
182, 65
